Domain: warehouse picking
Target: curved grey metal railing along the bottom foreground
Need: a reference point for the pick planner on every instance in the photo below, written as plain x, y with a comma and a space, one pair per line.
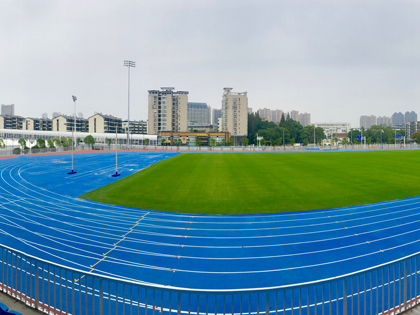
389, 288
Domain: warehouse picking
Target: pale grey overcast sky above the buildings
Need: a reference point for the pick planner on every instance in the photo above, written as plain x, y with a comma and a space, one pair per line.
334, 59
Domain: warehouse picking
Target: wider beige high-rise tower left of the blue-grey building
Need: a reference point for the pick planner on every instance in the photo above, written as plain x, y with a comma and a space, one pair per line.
167, 111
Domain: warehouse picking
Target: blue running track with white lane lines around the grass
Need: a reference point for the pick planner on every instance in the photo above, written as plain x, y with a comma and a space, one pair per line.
41, 215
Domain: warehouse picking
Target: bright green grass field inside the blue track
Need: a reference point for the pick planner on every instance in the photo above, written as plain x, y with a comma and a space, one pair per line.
238, 183
